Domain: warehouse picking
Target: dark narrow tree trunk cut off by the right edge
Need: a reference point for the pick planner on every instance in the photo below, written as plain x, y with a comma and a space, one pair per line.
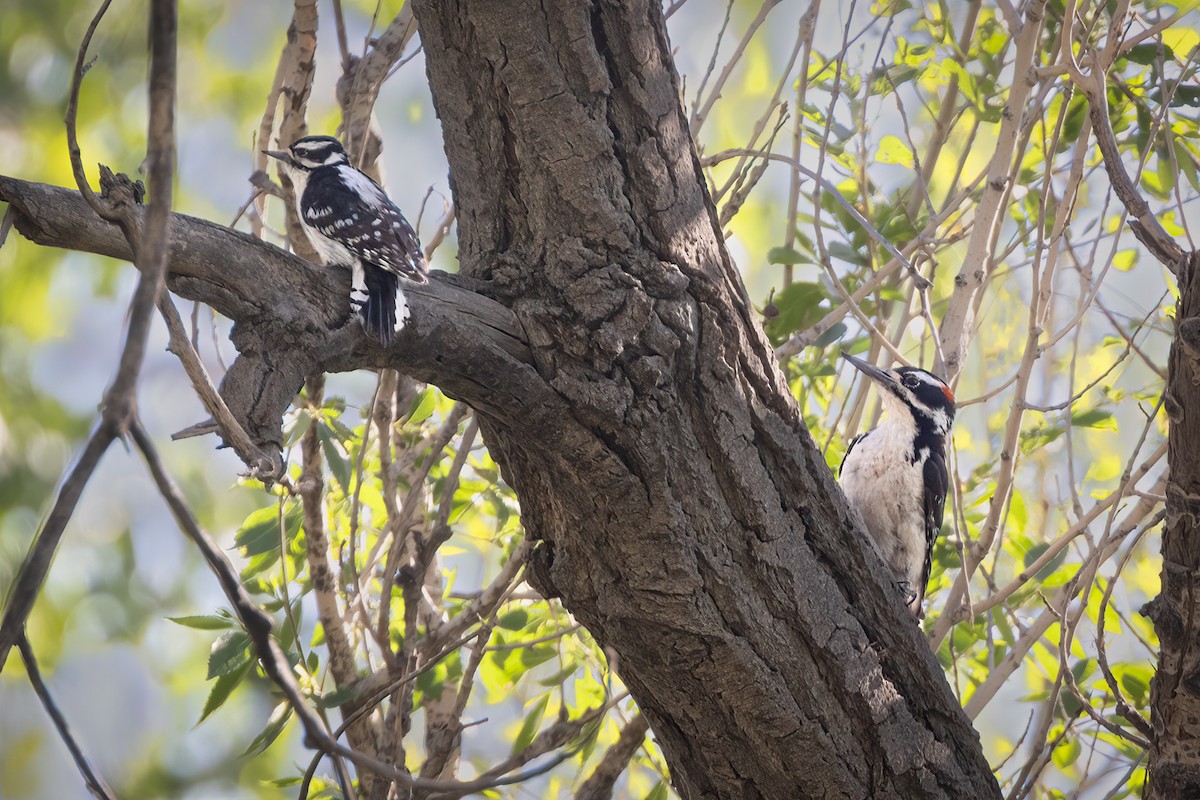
1175, 690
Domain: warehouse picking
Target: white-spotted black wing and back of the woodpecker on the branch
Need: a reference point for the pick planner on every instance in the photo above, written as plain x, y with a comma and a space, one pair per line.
351, 209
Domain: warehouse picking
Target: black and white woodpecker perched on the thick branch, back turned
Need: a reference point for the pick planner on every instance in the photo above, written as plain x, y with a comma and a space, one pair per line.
352, 222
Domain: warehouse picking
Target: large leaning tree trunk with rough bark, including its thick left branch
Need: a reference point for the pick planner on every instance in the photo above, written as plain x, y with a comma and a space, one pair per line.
623, 383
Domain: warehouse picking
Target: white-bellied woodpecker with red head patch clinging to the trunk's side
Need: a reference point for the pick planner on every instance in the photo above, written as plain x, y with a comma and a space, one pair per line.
895, 476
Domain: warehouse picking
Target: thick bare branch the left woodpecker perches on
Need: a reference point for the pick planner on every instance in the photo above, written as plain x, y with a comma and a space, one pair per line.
292, 318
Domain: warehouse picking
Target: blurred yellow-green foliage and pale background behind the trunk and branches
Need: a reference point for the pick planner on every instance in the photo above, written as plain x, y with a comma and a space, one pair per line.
136, 684
